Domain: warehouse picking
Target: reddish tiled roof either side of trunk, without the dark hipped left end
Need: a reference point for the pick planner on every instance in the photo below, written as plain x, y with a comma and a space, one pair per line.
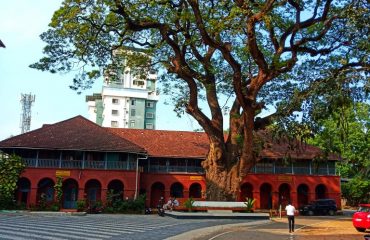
181, 144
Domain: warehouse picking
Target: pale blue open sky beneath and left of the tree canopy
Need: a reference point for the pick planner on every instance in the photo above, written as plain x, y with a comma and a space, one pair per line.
21, 23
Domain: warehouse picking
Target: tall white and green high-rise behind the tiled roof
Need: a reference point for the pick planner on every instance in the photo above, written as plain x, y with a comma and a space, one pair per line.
127, 100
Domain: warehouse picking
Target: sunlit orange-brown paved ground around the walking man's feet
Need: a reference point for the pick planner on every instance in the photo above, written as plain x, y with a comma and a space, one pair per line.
307, 228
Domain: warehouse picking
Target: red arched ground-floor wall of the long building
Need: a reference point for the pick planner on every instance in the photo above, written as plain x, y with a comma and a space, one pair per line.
146, 180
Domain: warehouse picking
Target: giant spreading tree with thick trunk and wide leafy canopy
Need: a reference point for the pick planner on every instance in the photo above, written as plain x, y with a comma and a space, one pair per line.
283, 54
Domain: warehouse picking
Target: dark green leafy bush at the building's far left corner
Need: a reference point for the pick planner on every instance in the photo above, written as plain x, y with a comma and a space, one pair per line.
11, 166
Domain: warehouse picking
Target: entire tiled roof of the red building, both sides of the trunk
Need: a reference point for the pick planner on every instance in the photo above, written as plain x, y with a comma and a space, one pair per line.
79, 133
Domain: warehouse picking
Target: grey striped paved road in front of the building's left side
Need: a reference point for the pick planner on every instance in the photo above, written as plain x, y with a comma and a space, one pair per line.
100, 226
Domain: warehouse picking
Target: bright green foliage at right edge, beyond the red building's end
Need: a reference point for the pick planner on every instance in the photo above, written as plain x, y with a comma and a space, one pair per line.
346, 132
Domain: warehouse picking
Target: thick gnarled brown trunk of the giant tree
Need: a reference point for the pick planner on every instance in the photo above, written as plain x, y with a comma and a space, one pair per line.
228, 162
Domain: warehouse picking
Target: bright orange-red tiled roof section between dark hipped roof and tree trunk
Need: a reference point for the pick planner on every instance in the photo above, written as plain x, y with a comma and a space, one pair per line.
161, 143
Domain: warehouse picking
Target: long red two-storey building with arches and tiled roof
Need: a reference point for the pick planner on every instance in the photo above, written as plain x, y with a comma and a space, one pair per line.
93, 160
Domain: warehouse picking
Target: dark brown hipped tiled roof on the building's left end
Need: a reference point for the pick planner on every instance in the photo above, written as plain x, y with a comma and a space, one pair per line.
76, 133
